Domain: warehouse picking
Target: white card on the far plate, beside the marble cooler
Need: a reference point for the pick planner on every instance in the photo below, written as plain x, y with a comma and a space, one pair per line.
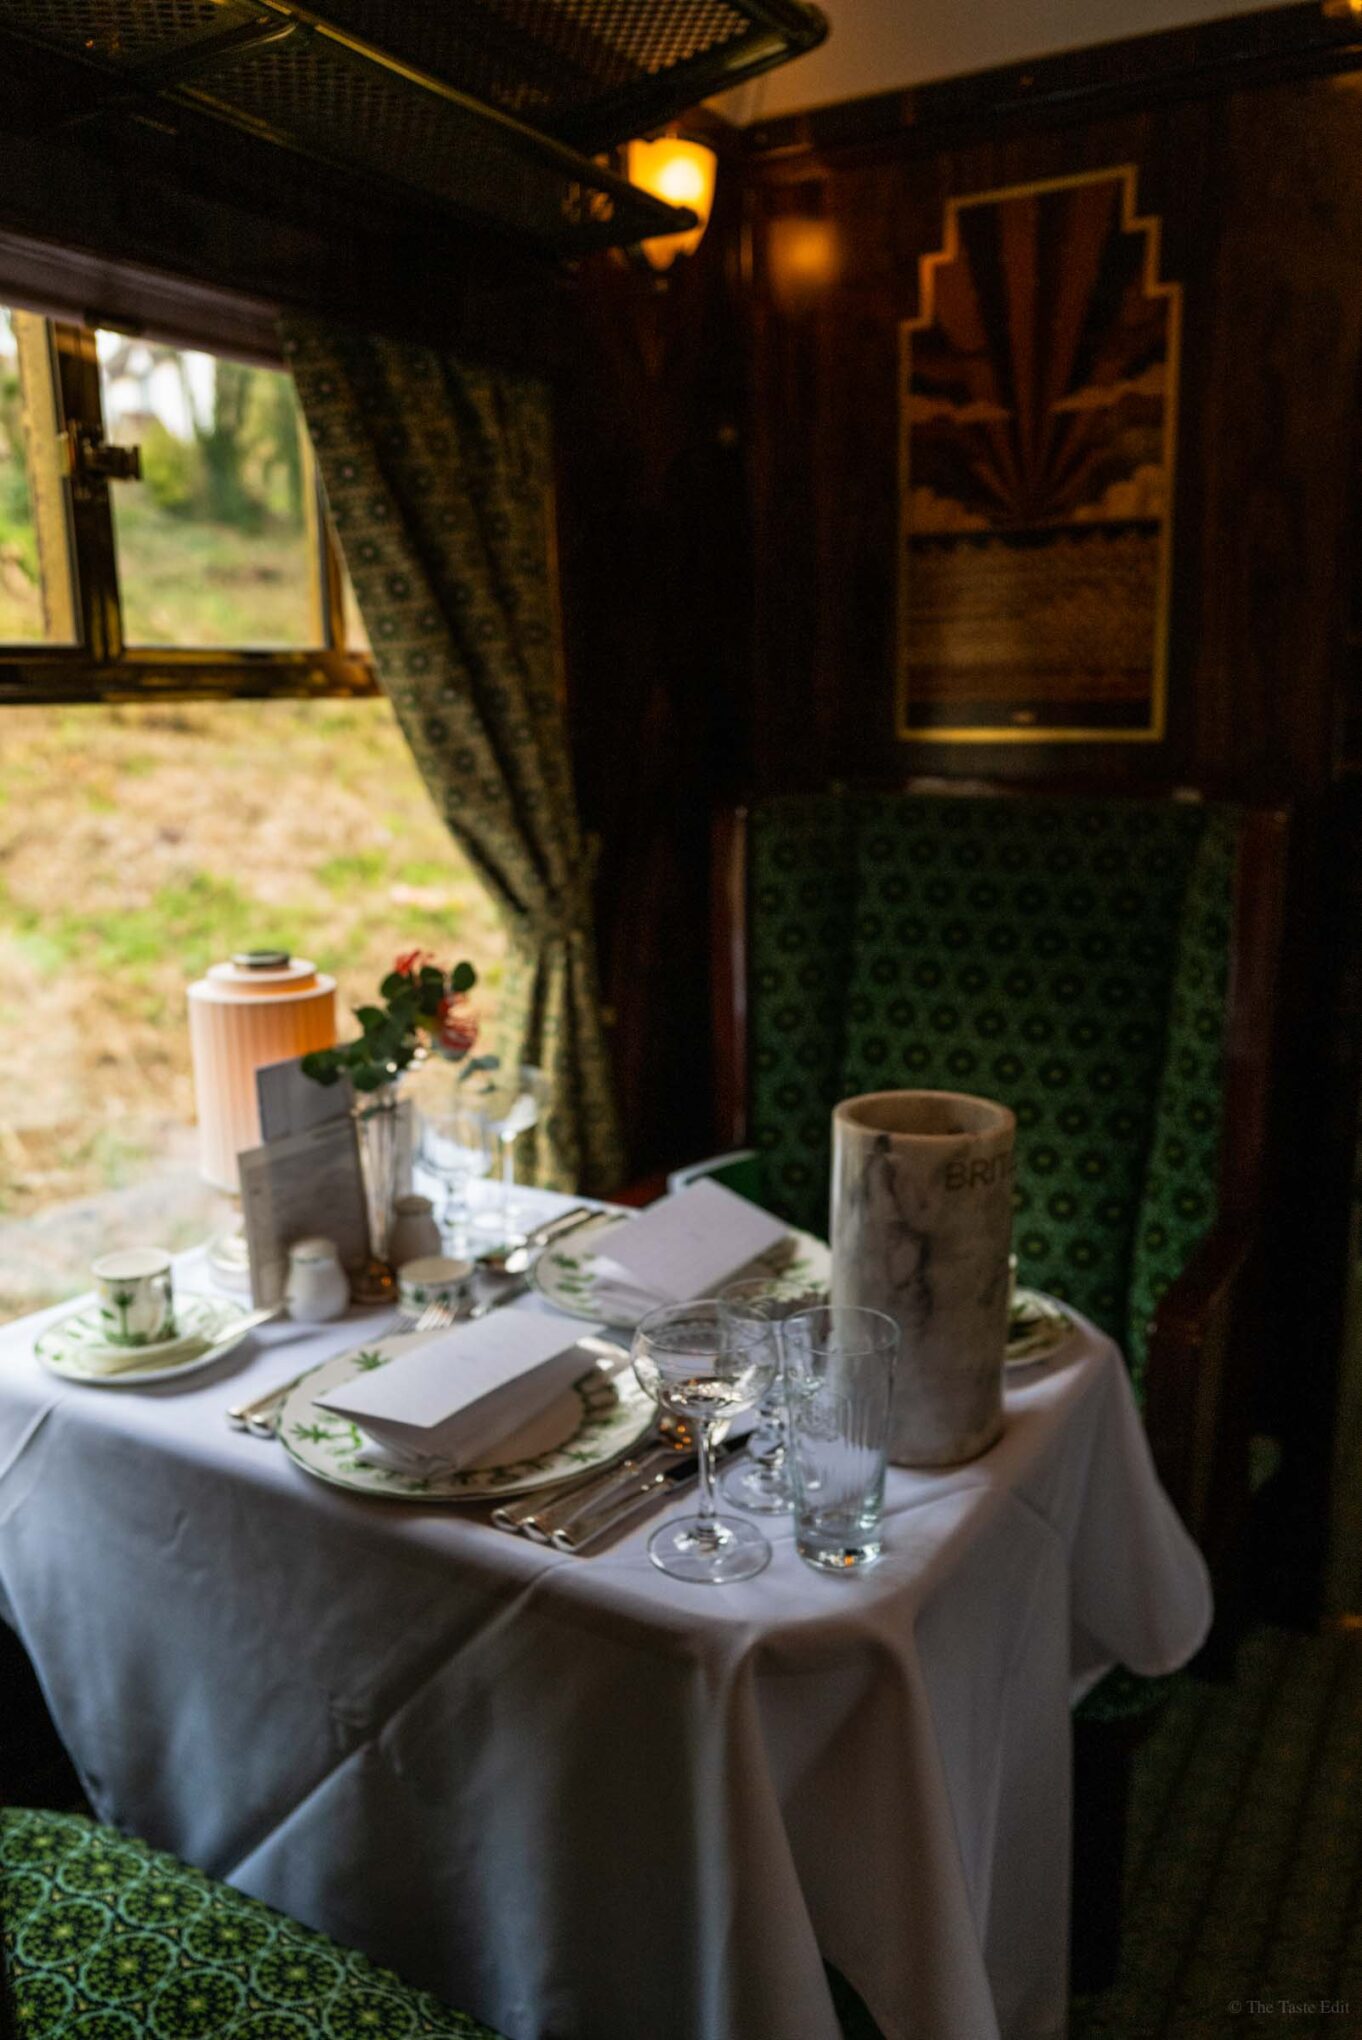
692, 1243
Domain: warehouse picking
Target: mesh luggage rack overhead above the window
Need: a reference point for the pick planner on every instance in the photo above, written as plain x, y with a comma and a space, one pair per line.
490, 109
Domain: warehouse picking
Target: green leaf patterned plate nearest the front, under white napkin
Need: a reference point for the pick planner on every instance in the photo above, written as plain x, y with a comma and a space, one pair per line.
594, 1423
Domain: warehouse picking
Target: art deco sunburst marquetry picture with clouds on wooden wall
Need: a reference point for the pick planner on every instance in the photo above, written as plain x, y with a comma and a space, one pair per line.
1039, 431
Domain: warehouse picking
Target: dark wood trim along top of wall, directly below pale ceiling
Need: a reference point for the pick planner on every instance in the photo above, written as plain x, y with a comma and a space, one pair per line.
1082, 85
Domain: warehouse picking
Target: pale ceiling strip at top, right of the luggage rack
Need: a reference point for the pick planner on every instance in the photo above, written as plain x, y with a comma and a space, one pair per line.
878, 46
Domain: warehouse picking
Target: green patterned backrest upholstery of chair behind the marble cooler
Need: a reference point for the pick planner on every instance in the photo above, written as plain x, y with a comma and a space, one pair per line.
1063, 956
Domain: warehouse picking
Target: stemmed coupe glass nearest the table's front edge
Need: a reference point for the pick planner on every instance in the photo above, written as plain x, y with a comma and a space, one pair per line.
706, 1368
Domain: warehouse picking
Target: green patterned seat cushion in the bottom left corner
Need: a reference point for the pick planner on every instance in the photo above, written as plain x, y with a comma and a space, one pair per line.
109, 1939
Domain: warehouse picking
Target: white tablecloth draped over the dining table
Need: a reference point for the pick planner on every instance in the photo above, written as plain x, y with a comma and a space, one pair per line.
572, 1796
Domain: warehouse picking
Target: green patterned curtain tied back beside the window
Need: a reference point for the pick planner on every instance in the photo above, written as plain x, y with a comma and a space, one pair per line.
439, 478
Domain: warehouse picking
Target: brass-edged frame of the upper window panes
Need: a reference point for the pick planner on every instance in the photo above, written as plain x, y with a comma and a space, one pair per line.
101, 666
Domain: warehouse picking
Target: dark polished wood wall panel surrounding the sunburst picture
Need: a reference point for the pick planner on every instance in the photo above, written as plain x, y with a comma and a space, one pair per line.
1261, 197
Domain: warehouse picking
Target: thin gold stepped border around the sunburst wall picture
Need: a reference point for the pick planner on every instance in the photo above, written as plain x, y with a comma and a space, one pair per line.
1133, 221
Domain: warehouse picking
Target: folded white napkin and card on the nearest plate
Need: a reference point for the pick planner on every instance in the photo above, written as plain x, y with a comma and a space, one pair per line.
452, 1396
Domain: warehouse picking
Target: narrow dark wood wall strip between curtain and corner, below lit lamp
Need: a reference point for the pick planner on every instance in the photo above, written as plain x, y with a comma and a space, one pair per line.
656, 558
